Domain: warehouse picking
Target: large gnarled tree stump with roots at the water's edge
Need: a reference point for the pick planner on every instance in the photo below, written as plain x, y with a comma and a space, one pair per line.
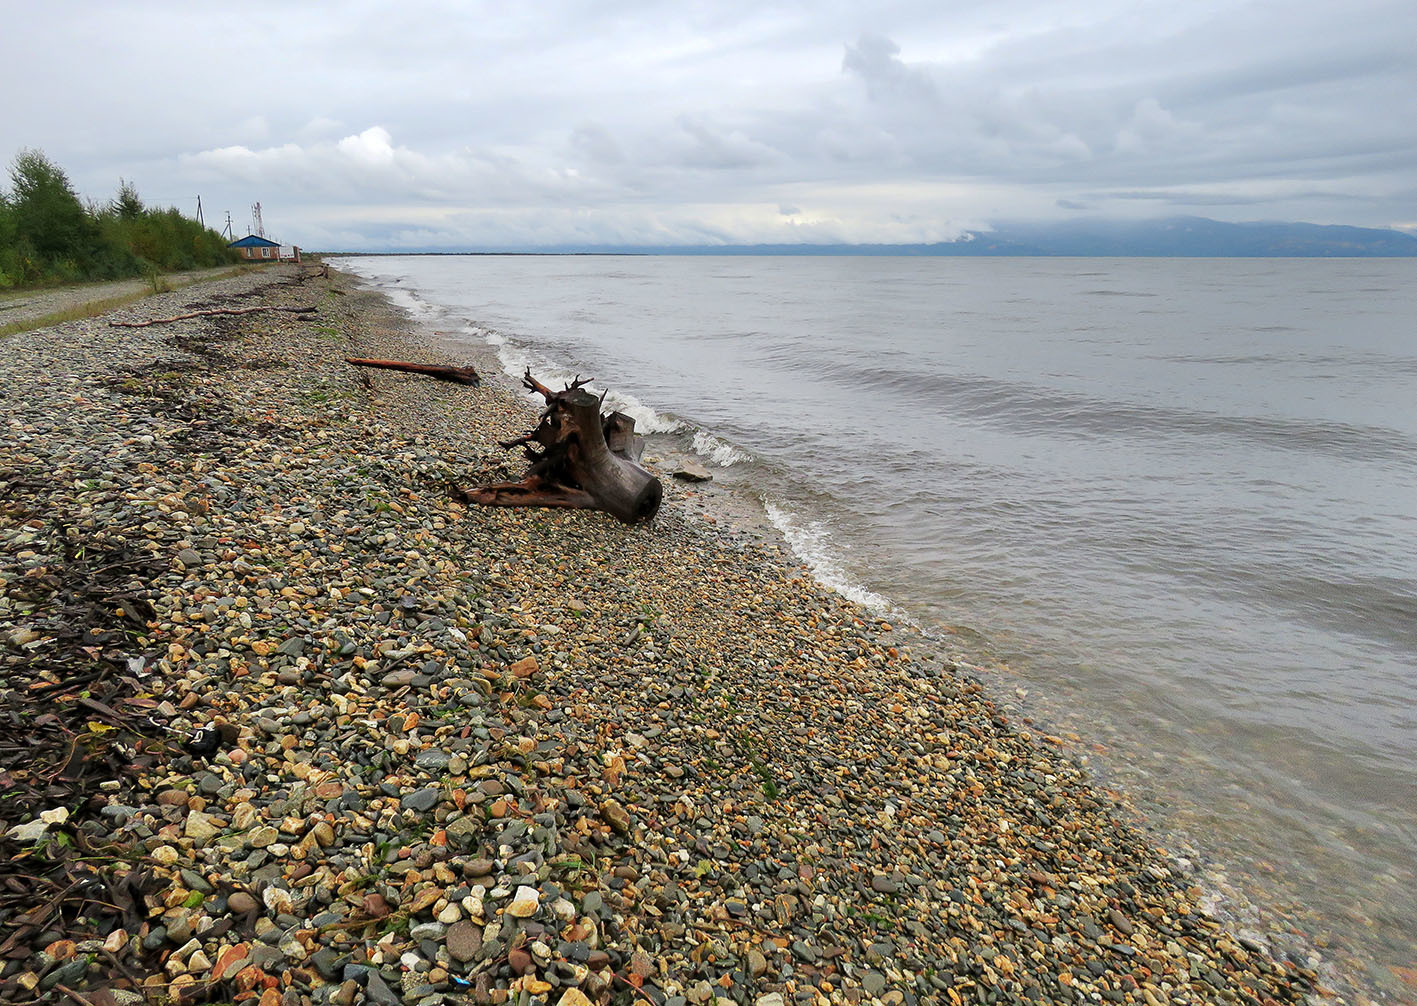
586, 461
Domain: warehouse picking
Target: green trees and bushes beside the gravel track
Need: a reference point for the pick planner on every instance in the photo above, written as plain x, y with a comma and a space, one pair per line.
49, 236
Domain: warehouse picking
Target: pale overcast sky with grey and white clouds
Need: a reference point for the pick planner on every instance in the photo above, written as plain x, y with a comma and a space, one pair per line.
366, 127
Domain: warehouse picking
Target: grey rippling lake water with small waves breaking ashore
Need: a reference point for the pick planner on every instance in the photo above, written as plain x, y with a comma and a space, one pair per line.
1168, 505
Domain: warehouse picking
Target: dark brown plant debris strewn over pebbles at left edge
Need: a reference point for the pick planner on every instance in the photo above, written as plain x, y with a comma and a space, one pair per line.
76, 719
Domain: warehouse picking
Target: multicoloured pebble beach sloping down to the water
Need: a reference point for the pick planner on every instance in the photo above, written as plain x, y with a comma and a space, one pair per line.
362, 743
